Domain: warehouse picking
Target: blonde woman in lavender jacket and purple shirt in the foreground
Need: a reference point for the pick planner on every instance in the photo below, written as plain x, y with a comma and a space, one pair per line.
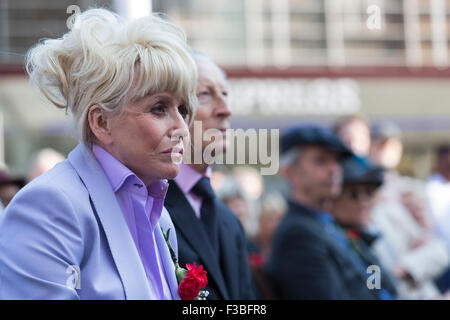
90, 228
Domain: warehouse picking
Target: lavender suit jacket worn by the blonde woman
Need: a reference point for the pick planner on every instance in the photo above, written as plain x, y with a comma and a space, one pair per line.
64, 237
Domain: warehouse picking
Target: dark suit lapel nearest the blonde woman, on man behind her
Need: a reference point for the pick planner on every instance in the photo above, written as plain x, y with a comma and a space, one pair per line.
186, 223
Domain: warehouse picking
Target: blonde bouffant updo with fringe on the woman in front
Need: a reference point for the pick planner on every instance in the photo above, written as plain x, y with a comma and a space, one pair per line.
97, 60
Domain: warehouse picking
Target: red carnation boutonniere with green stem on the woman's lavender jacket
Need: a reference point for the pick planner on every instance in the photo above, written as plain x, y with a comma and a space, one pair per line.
191, 282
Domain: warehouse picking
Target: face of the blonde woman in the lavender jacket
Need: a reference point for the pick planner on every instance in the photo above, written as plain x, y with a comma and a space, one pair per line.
149, 137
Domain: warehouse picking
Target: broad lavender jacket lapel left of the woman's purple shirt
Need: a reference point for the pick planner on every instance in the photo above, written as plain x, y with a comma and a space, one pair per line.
121, 243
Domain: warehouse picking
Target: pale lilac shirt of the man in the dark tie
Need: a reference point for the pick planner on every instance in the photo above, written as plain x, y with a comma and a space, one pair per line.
186, 180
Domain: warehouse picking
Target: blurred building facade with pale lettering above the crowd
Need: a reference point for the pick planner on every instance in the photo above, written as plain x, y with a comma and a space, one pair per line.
288, 61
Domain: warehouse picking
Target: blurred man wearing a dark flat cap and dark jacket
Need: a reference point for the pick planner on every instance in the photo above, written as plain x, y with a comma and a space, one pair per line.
310, 257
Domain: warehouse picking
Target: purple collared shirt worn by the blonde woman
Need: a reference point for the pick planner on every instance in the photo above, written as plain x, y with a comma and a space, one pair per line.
141, 207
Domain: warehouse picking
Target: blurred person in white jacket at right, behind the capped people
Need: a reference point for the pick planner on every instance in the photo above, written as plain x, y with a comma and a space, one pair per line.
411, 252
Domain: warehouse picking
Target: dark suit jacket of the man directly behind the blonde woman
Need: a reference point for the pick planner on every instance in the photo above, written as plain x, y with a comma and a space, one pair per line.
228, 278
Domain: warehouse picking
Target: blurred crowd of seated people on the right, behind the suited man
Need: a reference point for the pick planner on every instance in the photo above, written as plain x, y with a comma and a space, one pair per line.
380, 221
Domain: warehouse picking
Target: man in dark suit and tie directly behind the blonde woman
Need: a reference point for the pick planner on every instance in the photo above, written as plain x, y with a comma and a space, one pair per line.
208, 232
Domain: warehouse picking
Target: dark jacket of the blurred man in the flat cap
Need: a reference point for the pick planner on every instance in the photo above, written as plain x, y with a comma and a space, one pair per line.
308, 263
